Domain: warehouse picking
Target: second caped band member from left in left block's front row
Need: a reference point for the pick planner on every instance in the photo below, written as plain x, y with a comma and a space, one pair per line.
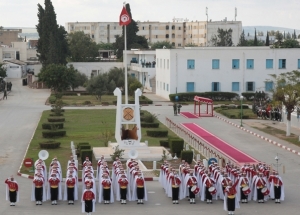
54, 189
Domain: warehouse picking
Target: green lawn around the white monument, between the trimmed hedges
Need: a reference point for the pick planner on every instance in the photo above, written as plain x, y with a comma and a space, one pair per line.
82, 126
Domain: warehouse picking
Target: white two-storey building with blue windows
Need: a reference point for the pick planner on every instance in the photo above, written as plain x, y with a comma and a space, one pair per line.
227, 69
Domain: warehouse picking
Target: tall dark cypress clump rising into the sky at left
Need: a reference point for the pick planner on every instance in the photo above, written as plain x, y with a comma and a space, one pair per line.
52, 45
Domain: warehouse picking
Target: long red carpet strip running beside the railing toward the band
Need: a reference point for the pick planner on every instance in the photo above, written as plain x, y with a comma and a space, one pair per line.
219, 144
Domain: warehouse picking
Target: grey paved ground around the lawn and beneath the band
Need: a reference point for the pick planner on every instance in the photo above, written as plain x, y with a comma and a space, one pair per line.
20, 114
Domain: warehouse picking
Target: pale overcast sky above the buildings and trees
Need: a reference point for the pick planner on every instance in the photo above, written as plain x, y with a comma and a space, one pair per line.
279, 13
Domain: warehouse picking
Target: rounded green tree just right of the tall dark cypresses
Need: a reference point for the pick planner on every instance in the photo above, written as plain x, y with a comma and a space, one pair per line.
82, 47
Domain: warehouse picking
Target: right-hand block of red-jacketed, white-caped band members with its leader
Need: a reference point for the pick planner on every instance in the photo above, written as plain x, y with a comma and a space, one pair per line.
232, 184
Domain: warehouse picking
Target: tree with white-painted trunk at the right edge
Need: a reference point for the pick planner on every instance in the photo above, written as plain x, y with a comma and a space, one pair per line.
286, 92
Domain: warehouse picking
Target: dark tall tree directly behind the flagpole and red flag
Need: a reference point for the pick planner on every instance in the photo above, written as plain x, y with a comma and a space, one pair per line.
133, 40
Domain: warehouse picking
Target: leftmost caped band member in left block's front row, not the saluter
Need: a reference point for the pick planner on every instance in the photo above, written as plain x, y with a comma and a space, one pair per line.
38, 191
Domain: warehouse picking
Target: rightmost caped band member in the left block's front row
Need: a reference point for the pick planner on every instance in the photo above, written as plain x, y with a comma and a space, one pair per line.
139, 192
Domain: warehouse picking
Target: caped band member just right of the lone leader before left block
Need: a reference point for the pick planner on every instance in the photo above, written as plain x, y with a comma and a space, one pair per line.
105, 190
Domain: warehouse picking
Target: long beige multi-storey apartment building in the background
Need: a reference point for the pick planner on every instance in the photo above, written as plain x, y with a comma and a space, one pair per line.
179, 33
